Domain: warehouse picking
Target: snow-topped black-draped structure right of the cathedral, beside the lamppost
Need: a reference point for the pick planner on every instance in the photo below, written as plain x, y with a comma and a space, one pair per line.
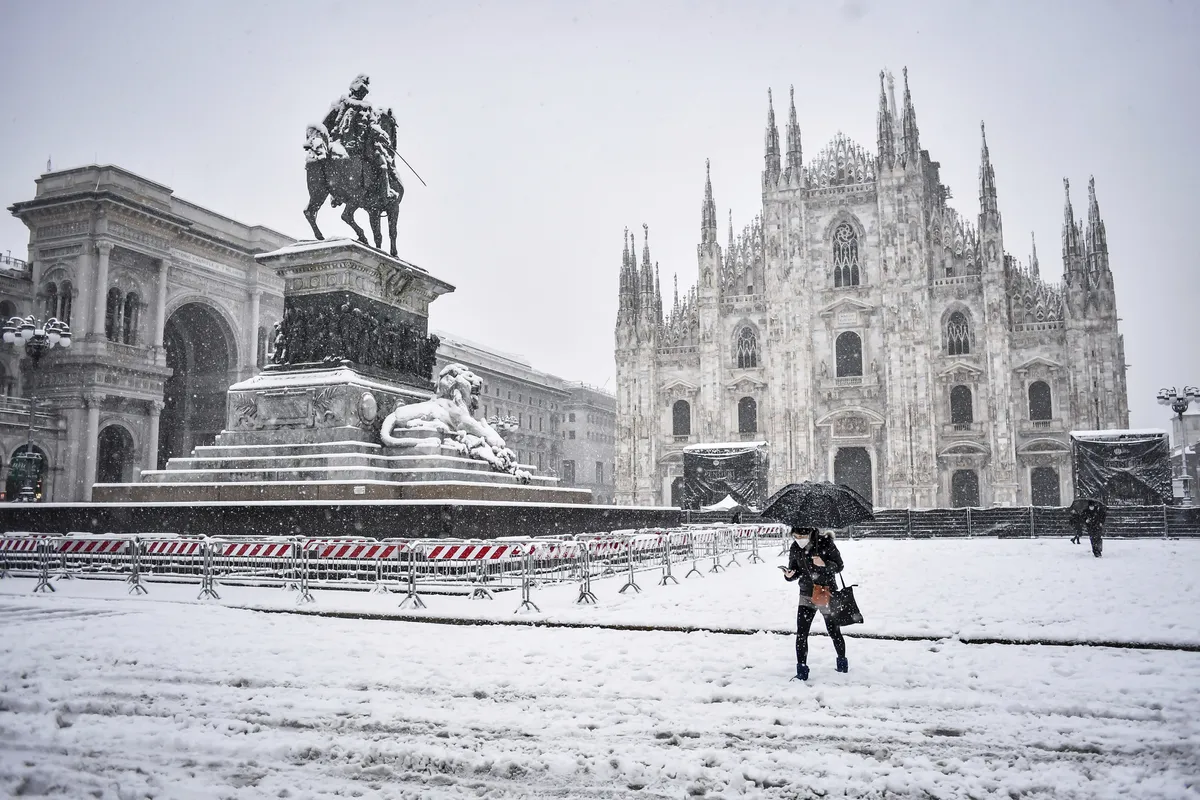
1124, 470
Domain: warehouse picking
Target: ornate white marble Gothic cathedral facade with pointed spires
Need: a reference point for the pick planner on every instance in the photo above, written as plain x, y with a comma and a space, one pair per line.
872, 335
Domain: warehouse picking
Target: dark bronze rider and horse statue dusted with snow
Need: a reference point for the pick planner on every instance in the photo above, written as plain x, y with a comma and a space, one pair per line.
351, 157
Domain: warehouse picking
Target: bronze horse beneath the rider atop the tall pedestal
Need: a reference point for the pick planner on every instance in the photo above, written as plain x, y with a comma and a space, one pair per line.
356, 183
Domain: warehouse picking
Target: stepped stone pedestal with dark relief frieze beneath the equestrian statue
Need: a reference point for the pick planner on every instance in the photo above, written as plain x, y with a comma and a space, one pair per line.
353, 346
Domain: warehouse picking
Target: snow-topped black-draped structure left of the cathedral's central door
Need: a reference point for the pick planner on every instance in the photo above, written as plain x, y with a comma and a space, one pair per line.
712, 473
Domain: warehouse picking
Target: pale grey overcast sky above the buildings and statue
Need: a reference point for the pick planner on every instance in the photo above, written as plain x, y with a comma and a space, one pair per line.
545, 129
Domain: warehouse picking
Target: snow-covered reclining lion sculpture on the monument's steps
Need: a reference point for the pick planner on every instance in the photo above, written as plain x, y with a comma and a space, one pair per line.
451, 416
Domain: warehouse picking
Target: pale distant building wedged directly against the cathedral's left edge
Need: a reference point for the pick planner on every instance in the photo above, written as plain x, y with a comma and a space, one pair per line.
590, 442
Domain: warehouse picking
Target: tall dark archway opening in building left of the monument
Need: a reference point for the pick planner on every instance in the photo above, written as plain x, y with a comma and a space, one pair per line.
201, 353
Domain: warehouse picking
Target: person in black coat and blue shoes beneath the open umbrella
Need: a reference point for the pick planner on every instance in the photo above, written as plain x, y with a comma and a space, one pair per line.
813, 562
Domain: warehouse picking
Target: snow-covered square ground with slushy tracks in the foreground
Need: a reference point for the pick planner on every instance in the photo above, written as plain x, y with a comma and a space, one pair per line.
107, 696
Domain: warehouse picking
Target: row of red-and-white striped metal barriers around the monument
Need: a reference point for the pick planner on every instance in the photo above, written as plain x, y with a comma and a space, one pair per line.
412, 567
